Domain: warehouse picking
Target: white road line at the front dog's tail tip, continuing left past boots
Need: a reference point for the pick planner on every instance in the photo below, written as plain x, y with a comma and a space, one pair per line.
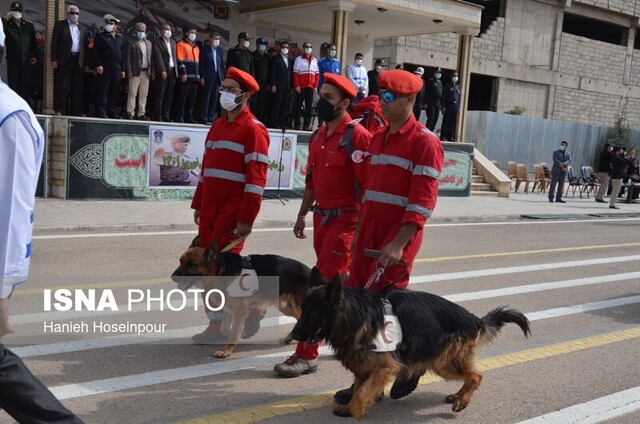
219, 367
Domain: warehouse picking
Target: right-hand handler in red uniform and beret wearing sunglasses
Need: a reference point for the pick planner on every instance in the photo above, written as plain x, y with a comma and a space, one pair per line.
400, 195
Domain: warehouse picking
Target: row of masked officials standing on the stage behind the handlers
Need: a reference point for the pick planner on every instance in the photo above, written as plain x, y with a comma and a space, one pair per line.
150, 74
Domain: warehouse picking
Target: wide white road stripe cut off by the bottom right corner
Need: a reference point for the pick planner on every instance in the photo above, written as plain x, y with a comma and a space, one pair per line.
594, 411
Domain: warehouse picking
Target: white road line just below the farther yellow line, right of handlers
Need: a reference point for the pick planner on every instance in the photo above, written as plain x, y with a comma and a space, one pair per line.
517, 269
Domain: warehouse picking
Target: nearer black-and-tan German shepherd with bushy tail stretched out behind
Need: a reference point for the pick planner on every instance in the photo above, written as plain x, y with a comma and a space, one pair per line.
438, 335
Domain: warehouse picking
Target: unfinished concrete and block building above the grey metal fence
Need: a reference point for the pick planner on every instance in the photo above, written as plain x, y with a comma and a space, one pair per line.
571, 60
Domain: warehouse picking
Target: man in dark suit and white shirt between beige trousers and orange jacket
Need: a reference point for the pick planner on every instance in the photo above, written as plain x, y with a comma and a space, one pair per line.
164, 52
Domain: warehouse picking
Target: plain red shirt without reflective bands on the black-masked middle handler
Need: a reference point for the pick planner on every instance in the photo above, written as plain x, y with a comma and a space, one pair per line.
331, 172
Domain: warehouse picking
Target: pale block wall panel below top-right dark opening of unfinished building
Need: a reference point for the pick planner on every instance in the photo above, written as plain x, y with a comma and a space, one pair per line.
591, 58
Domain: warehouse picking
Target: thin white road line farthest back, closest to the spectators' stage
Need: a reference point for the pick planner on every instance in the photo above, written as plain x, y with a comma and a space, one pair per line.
268, 230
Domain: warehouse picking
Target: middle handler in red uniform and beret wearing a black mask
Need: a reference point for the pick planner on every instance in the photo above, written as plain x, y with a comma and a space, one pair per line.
336, 173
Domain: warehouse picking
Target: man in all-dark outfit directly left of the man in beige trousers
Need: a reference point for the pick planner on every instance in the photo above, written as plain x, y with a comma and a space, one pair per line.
108, 57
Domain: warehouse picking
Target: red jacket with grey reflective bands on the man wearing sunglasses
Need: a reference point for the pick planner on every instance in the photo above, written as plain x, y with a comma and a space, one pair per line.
402, 182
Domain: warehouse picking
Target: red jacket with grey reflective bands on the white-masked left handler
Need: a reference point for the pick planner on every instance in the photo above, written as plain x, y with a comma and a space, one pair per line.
234, 167
